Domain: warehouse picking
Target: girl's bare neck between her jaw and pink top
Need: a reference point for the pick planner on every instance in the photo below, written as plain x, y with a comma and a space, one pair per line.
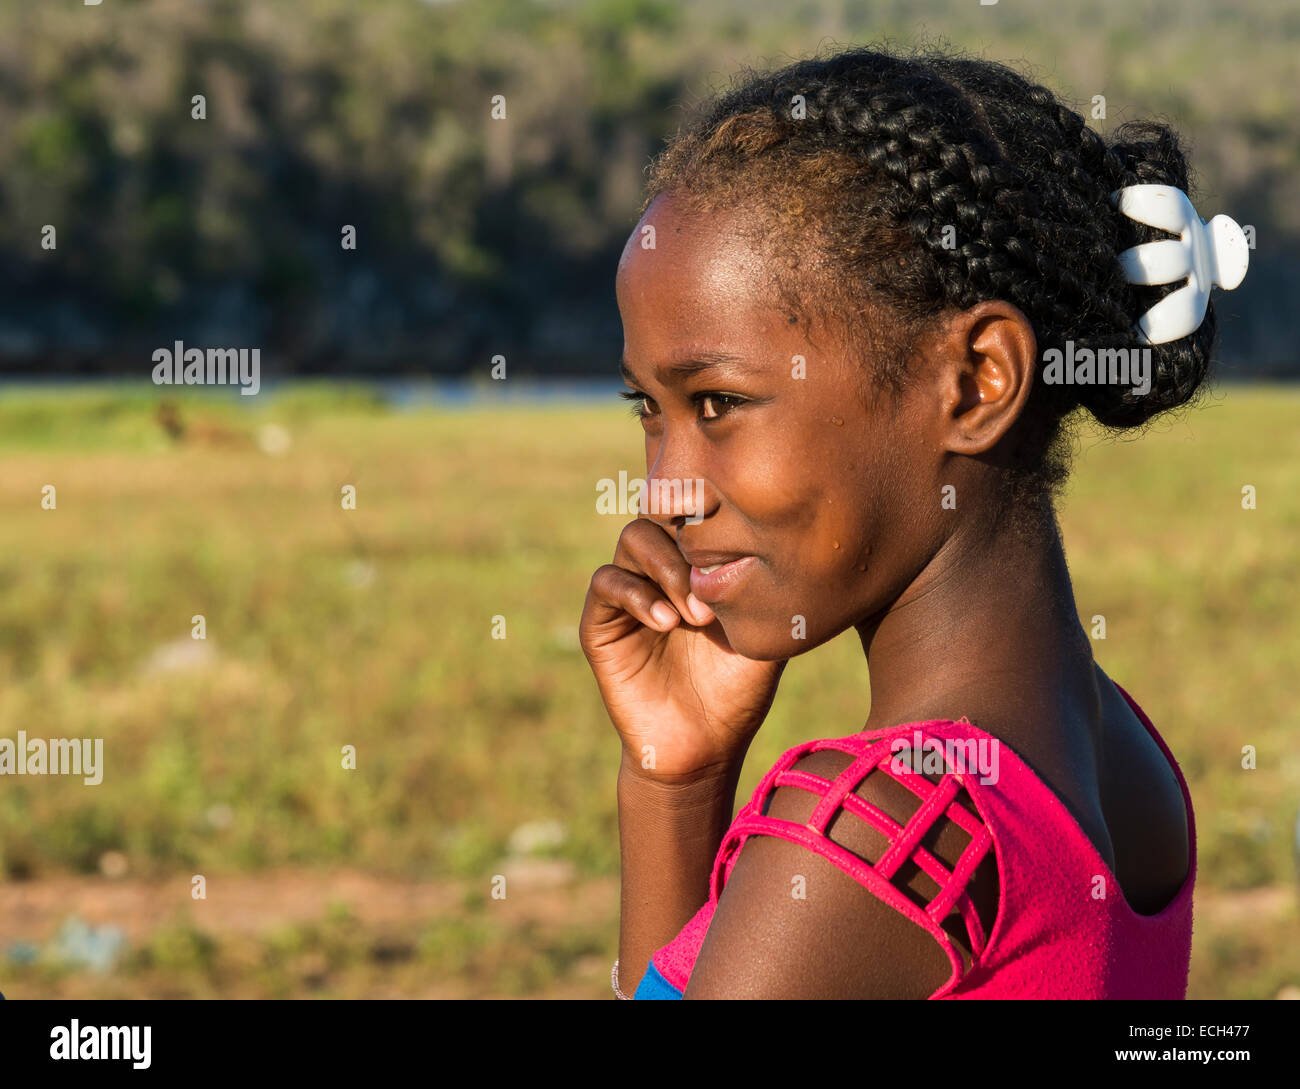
989, 631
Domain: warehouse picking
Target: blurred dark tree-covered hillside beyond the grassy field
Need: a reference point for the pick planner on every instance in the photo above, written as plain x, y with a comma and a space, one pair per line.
480, 237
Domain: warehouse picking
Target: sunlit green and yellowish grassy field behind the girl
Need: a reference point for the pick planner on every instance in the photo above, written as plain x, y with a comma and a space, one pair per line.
374, 628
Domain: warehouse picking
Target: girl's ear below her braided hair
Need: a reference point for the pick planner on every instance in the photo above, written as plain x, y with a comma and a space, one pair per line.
986, 365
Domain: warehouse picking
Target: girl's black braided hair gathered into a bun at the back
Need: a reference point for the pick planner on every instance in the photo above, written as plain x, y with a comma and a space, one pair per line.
911, 185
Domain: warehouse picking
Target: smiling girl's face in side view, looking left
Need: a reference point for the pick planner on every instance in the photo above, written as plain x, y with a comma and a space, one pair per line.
837, 505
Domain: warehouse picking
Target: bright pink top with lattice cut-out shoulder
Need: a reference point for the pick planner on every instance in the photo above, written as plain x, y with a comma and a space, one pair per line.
1059, 932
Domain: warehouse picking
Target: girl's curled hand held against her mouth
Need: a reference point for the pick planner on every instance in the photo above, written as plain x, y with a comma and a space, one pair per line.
666, 673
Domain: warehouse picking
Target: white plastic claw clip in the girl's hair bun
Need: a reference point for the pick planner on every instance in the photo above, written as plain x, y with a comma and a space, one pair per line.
1206, 254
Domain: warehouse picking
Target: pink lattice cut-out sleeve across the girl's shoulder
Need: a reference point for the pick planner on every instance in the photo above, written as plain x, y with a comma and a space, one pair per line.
898, 812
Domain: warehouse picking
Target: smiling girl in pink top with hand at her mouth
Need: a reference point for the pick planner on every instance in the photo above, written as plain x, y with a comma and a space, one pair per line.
839, 310
